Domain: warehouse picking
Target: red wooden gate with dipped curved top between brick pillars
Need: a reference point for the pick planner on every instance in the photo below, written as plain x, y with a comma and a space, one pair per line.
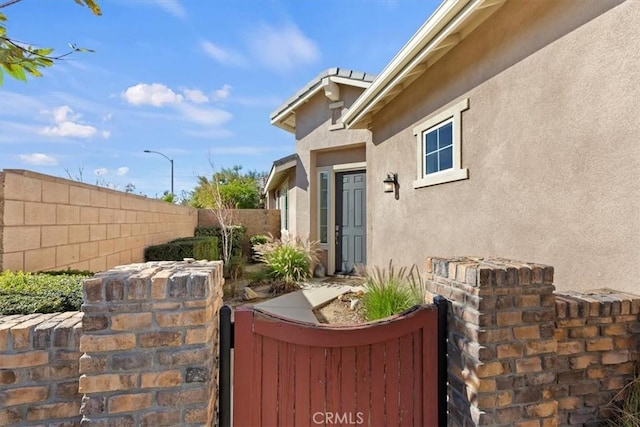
289, 373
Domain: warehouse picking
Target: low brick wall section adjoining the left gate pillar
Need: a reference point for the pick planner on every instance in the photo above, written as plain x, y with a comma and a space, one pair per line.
39, 369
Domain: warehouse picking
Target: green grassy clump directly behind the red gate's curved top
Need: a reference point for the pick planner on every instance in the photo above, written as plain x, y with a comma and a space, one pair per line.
390, 291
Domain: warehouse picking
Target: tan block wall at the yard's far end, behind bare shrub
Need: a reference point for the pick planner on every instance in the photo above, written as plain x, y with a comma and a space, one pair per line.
257, 221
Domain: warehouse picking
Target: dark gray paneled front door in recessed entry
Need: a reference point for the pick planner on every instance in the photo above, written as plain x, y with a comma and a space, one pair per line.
351, 217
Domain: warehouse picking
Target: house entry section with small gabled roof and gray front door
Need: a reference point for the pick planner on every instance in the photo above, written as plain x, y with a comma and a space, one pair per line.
329, 160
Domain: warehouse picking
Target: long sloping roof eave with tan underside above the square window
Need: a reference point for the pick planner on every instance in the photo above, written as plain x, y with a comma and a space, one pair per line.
451, 22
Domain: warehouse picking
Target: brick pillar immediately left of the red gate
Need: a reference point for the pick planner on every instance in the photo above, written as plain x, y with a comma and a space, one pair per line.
150, 344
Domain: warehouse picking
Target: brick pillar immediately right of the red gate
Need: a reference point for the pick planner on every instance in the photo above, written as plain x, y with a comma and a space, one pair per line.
501, 340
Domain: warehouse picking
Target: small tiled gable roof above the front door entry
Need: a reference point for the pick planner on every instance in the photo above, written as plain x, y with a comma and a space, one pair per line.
285, 116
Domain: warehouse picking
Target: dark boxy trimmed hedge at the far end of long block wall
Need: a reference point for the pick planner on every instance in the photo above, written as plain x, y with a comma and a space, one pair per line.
186, 247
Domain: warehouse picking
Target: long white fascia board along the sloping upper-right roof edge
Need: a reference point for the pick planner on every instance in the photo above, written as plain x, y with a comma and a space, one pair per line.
391, 74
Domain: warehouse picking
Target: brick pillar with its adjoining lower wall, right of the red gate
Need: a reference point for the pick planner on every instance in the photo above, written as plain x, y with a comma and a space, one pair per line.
521, 355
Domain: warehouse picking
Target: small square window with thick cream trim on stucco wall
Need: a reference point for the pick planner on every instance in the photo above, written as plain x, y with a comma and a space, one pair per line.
439, 148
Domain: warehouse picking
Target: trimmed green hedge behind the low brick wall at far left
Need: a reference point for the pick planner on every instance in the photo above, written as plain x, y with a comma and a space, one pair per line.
26, 293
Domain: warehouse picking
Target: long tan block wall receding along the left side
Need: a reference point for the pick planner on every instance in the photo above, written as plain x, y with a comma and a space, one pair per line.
51, 223
